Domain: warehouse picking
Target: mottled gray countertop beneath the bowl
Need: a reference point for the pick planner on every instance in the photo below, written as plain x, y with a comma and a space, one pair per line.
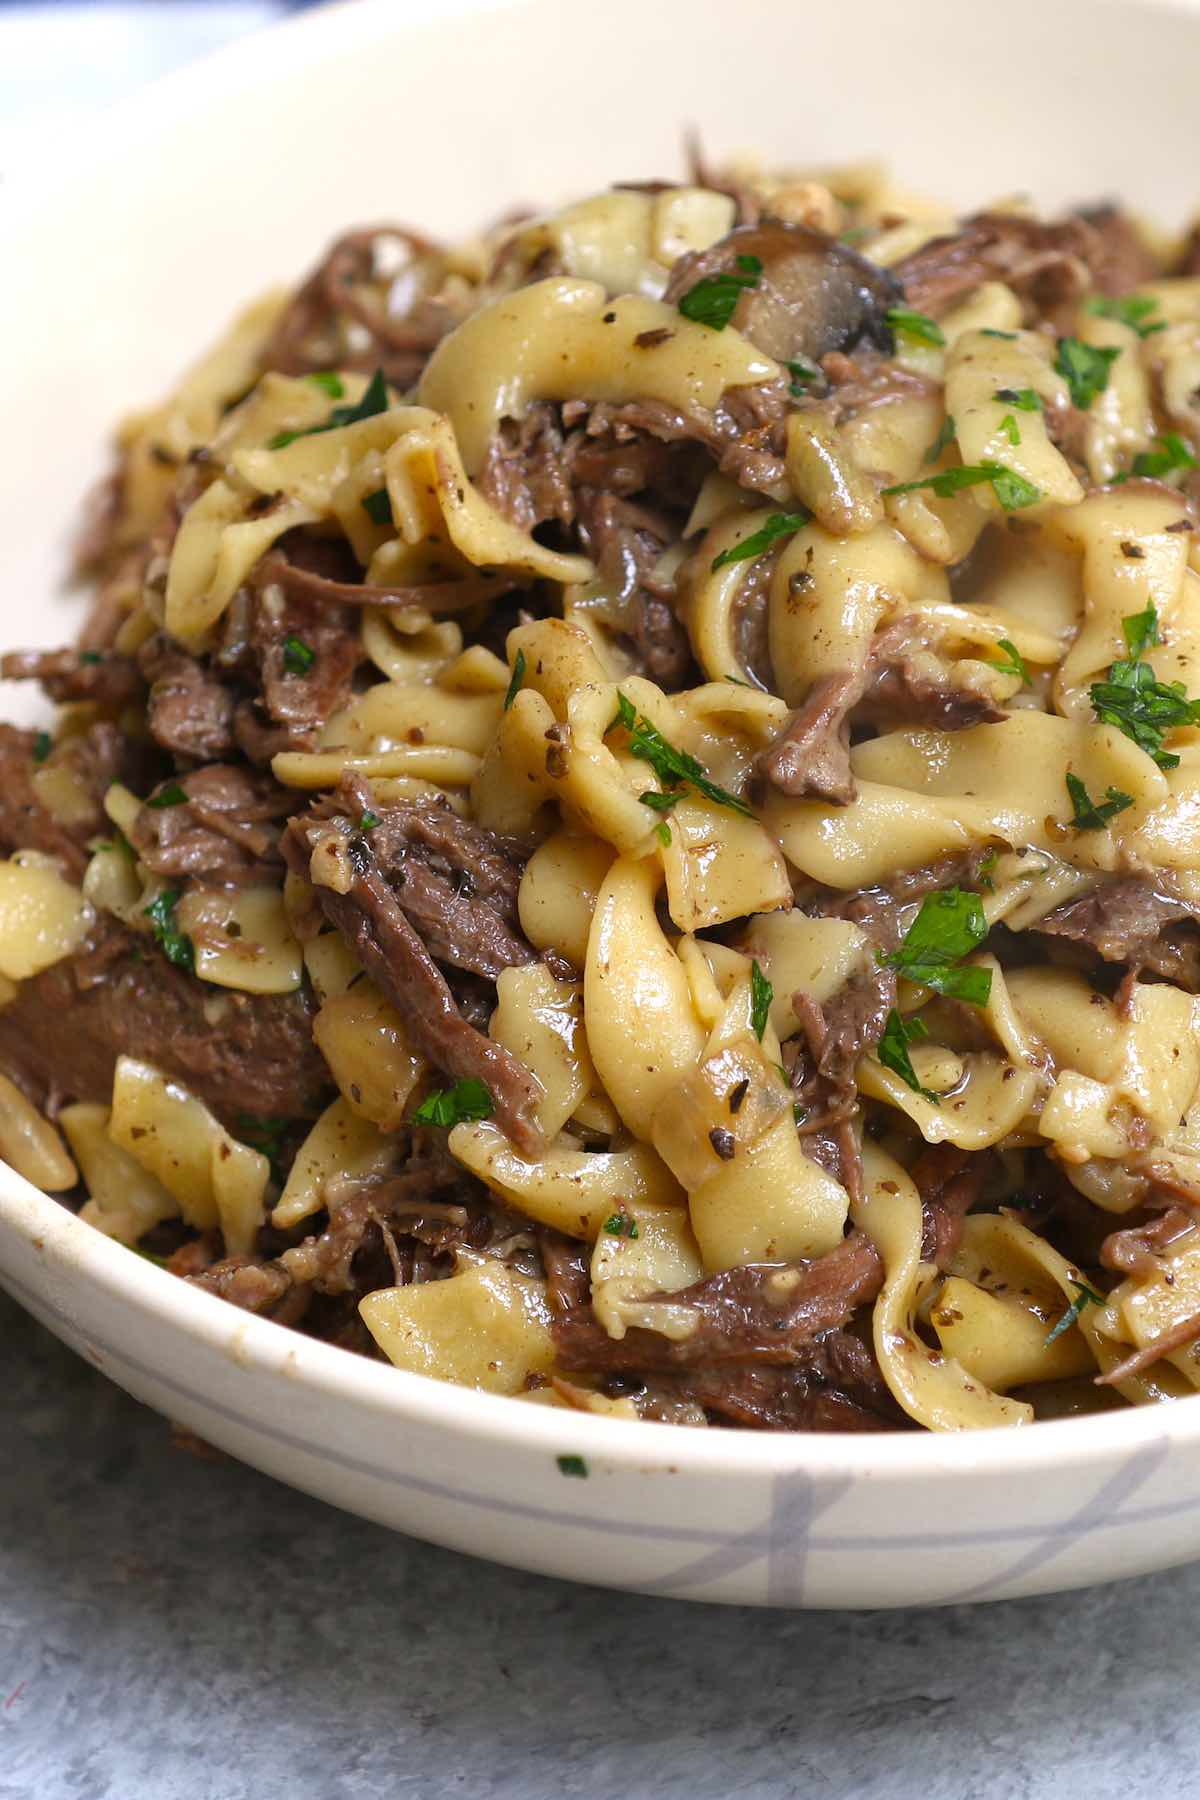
184, 1630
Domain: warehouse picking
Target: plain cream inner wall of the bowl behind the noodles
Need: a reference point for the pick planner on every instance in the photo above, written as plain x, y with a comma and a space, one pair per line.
235, 174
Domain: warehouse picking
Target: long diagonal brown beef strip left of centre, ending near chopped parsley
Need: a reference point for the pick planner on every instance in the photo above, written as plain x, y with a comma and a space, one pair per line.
373, 921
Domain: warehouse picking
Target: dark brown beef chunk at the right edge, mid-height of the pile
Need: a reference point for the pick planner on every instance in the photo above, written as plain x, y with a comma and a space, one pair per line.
1129, 921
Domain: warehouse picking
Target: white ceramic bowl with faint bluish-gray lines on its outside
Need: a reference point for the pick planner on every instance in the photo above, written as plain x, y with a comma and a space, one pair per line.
121, 262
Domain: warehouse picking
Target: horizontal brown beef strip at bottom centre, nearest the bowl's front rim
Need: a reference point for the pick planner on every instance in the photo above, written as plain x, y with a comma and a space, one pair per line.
744, 1317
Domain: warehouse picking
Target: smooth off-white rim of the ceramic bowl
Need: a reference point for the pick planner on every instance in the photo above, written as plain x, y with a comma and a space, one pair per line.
76, 1252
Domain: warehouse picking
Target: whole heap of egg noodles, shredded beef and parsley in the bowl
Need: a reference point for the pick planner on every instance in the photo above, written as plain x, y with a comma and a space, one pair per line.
627, 822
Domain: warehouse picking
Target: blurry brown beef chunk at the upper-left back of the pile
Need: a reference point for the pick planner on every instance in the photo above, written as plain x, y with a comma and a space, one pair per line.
343, 318
